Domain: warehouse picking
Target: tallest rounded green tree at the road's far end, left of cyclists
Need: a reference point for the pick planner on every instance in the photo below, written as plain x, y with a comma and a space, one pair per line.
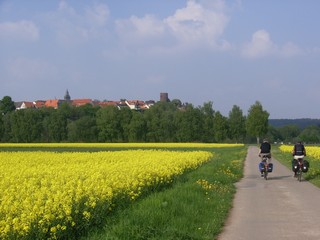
257, 121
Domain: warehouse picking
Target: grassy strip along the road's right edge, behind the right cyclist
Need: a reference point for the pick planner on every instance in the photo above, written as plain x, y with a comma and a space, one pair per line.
313, 175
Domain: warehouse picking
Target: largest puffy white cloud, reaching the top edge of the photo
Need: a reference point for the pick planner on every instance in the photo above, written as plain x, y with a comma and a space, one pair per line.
193, 25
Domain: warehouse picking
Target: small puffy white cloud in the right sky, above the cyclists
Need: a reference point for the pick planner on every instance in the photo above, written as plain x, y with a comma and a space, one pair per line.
261, 45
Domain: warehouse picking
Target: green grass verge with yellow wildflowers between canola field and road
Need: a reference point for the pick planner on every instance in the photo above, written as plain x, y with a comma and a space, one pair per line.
194, 207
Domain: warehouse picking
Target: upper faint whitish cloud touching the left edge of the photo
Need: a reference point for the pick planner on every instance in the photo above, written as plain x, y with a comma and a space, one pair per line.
22, 30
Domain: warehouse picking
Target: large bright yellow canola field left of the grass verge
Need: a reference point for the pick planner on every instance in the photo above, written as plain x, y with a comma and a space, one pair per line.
50, 195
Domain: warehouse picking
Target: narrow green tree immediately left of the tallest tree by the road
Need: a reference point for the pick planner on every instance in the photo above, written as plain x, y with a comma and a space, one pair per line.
237, 124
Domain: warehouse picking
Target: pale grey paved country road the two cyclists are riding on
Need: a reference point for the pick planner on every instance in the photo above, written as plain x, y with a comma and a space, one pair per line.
279, 208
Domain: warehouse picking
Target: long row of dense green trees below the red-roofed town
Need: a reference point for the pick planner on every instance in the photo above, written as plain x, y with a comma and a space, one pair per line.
163, 122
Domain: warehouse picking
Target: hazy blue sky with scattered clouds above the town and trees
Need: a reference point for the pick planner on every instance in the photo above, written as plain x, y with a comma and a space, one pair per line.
229, 52
